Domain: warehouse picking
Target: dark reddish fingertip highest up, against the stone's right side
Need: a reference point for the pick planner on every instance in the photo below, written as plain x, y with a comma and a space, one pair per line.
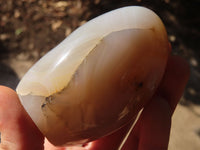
174, 80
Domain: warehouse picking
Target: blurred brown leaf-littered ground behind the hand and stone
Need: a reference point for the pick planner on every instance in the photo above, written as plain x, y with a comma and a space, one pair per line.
30, 28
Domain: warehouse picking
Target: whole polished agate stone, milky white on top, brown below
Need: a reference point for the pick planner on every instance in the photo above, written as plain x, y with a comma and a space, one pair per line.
98, 78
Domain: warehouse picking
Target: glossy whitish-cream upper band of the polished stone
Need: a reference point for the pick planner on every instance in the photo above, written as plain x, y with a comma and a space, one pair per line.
54, 71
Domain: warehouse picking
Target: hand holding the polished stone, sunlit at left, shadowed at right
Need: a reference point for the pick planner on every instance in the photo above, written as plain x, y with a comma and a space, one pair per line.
151, 132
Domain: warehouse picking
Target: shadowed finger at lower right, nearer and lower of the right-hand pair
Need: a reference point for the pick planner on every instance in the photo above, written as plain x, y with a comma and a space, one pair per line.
153, 127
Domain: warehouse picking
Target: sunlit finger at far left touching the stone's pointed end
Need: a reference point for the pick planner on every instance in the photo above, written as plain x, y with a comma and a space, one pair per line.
17, 129
